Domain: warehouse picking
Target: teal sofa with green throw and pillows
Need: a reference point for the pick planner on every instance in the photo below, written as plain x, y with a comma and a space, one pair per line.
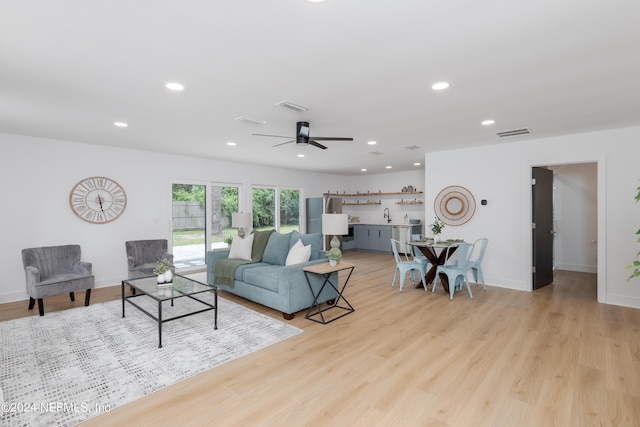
270, 283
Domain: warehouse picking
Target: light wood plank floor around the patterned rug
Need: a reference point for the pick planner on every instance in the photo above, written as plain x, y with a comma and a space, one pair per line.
554, 357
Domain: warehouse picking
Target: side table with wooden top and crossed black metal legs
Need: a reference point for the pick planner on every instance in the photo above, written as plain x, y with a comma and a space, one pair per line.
325, 270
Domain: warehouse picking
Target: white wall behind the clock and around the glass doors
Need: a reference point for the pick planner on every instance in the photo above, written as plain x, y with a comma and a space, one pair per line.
38, 174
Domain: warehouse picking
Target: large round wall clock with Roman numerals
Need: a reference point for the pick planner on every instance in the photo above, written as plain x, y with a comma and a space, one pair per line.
98, 199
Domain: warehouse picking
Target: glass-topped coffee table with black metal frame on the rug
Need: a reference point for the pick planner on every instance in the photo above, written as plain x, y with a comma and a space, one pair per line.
180, 287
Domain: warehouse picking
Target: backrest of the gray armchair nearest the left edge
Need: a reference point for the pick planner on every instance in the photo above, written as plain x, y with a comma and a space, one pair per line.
51, 260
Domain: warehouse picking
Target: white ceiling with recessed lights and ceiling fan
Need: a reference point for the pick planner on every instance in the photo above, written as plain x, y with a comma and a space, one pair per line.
70, 68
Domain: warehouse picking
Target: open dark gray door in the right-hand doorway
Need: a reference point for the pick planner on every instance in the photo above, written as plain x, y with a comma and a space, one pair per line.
543, 233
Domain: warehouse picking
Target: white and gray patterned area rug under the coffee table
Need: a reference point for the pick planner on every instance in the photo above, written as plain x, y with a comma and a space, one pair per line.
72, 365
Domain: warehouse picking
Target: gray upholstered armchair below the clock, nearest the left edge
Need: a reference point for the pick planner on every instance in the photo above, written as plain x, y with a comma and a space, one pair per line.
54, 270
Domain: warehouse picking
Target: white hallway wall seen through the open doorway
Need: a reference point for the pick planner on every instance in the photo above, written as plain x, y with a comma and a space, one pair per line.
576, 219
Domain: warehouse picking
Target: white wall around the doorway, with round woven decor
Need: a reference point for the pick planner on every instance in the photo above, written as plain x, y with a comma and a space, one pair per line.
501, 173
